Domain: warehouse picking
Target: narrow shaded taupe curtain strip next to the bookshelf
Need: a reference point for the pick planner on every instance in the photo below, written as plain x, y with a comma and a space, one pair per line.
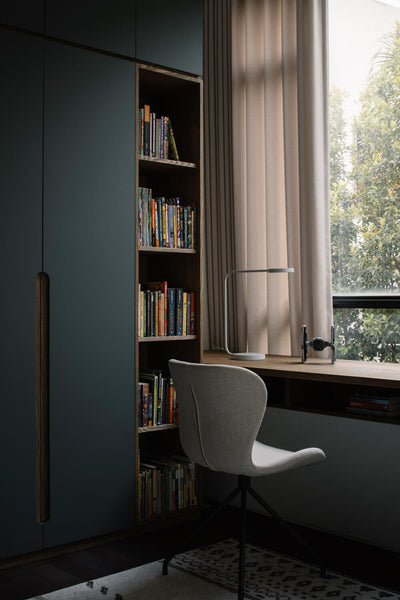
219, 201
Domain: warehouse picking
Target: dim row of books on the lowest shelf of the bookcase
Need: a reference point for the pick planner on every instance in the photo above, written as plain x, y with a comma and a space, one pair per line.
166, 484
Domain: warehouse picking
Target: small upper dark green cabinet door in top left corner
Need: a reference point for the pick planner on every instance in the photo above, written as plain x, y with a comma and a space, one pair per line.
27, 14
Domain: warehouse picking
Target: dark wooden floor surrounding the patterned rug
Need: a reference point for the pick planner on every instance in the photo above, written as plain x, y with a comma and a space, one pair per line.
34, 577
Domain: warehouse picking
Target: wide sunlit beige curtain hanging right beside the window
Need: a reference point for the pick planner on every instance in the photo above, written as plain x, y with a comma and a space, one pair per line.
280, 198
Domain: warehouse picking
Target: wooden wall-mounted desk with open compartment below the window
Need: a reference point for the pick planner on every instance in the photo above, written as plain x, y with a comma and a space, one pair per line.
317, 385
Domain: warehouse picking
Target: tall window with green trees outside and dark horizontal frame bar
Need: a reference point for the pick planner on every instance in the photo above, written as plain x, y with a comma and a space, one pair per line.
364, 125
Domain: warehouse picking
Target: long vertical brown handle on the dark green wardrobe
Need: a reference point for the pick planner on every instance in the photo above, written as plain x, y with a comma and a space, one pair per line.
42, 397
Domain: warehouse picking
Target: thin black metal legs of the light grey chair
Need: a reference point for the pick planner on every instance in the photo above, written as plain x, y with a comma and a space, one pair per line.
244, 488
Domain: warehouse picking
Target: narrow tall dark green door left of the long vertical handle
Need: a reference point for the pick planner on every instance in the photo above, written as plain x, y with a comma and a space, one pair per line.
20, 260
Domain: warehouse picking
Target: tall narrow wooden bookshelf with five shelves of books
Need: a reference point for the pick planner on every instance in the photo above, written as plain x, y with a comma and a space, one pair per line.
167, 278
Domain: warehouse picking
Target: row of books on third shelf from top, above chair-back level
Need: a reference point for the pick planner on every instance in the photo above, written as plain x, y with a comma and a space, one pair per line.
165, 311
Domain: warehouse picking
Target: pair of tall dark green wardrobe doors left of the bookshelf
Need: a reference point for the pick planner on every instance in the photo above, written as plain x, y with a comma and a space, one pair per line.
67, 209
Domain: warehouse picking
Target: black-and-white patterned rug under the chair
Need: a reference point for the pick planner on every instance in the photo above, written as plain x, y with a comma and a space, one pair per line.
210, 573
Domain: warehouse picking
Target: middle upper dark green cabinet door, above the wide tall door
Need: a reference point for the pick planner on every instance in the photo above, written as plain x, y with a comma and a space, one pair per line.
105, 24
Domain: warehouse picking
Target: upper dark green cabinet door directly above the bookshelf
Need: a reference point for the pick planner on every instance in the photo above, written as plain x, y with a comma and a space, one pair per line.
170, 33
